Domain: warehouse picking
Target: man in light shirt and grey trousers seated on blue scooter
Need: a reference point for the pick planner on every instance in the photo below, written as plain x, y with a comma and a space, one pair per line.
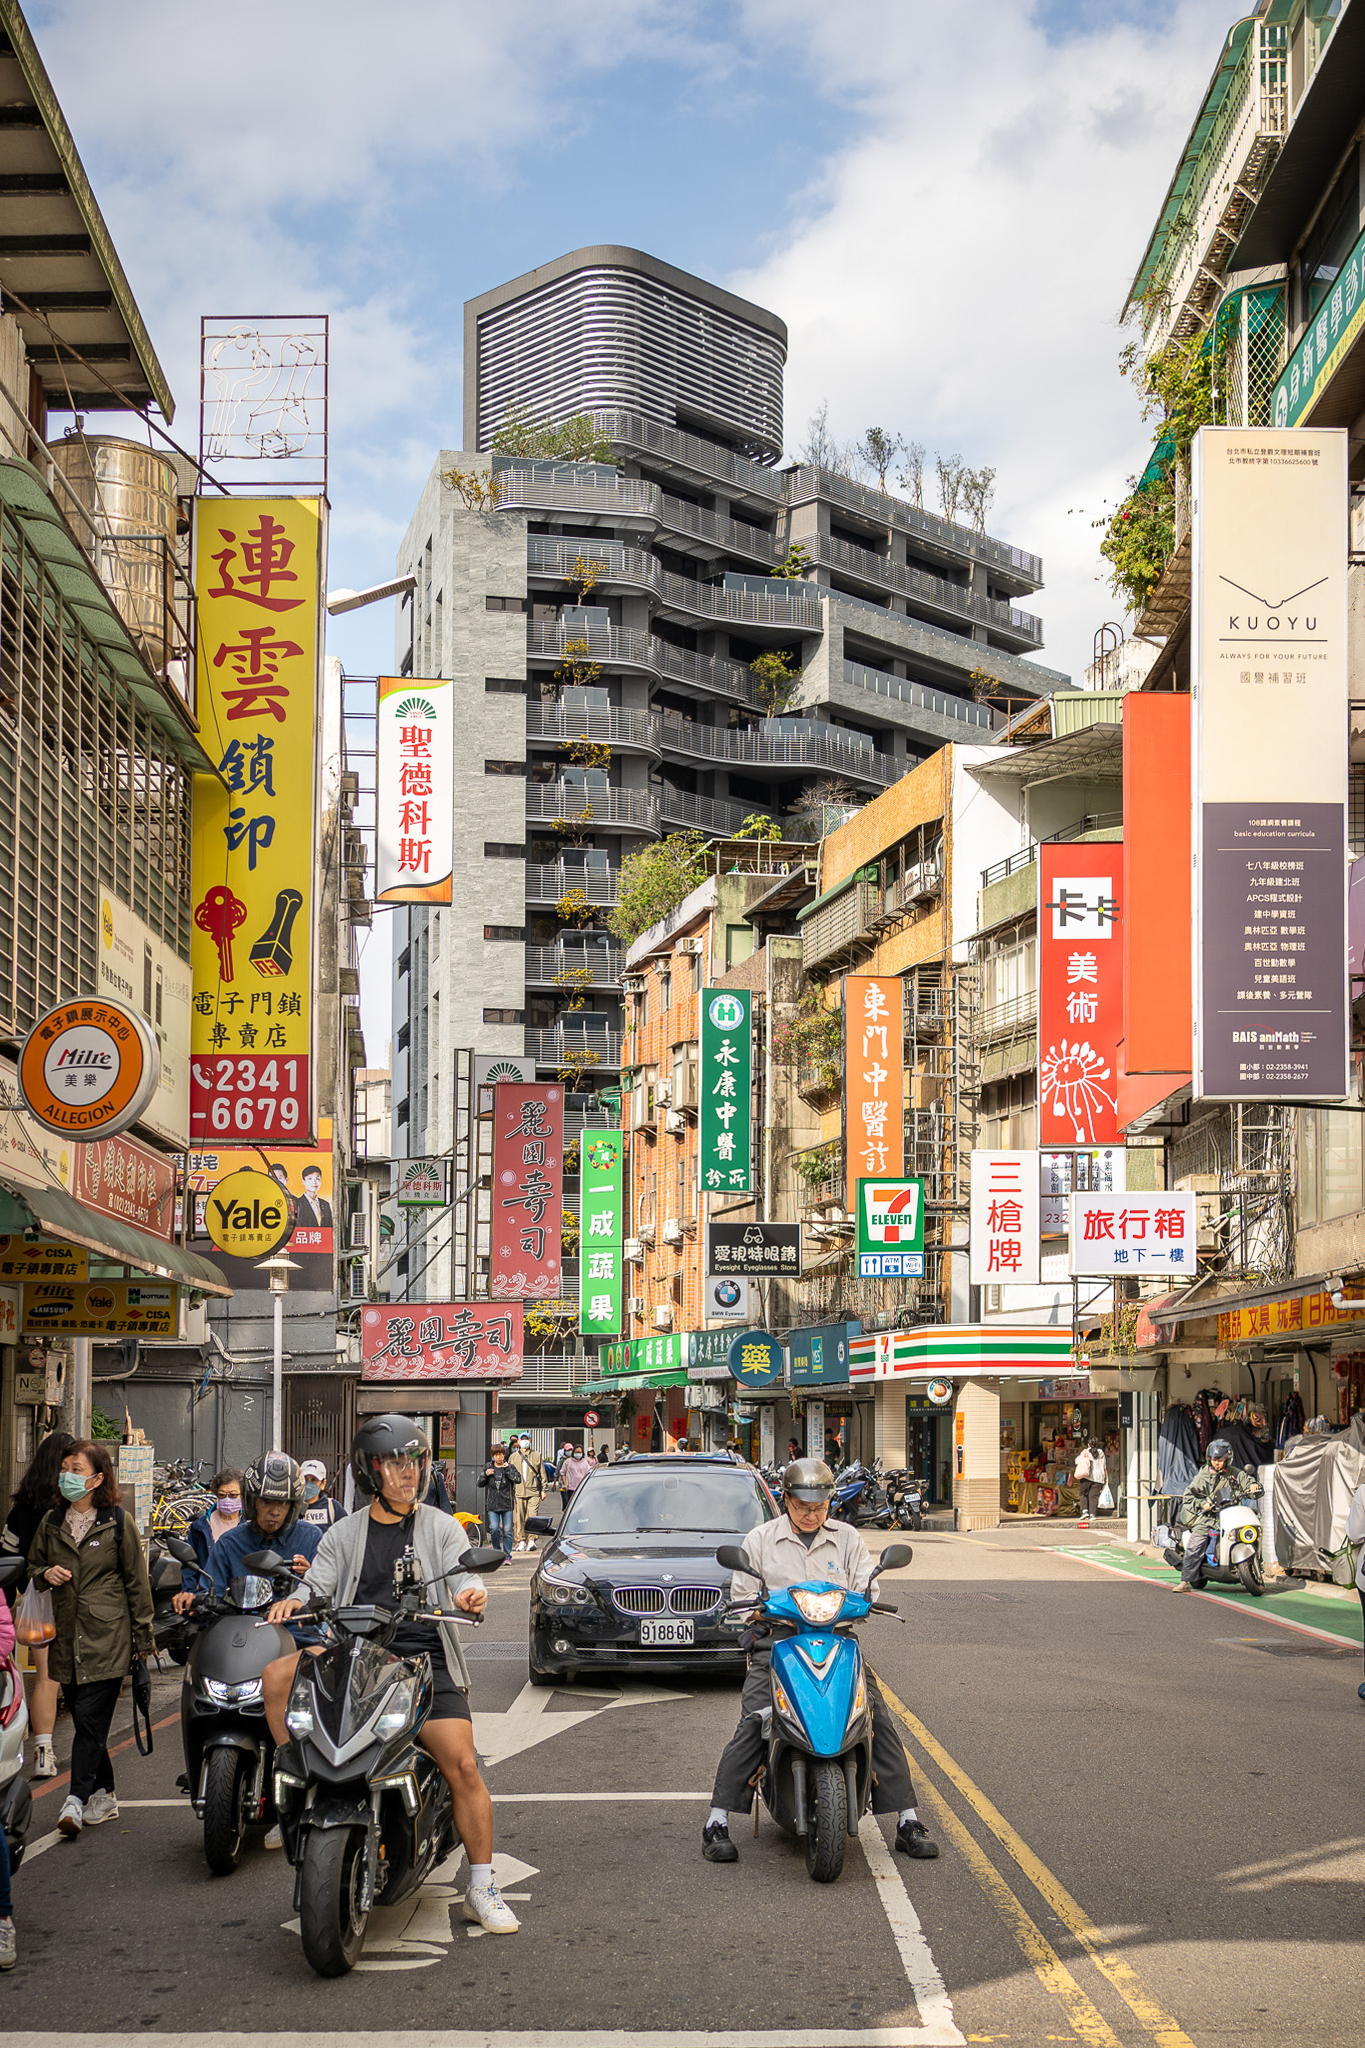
795, 1547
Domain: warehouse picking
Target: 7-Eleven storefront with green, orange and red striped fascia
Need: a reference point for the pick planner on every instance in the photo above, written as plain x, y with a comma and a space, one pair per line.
938, 1402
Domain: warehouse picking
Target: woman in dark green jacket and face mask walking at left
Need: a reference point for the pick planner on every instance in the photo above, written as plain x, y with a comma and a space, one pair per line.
91, 1558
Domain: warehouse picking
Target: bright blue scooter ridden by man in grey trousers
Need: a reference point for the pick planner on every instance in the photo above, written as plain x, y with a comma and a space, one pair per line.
818, 1779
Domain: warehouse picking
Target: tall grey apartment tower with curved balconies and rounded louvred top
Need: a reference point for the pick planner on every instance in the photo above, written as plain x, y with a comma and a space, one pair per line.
603, 620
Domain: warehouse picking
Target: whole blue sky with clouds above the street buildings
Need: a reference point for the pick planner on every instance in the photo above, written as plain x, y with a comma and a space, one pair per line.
946, 206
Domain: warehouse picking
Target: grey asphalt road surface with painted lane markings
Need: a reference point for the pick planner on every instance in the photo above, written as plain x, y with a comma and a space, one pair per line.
1149, 1811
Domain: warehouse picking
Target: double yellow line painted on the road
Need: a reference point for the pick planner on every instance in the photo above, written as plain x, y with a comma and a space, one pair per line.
1086, 2018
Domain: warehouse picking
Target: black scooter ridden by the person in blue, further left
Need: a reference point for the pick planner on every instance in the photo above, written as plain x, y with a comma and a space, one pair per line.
228, 1746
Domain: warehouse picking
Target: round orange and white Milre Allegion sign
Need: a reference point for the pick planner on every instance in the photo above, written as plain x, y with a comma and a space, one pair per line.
89, 1068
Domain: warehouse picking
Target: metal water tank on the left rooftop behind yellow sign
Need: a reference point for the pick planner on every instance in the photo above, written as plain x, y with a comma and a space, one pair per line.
122, 501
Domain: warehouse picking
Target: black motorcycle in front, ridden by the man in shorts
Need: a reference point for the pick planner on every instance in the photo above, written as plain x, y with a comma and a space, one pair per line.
365, 1811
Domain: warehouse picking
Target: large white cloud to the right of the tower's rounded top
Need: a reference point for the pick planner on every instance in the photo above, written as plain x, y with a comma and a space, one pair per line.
959, 267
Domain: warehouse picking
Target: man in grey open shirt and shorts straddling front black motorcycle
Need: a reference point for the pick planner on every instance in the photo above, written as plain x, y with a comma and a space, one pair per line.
392, 1463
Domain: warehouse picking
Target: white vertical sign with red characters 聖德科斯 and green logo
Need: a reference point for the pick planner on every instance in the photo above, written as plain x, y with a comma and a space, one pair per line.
414, 798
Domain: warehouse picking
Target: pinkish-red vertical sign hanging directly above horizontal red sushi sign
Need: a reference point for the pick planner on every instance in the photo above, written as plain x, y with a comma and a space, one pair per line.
529, 1191
